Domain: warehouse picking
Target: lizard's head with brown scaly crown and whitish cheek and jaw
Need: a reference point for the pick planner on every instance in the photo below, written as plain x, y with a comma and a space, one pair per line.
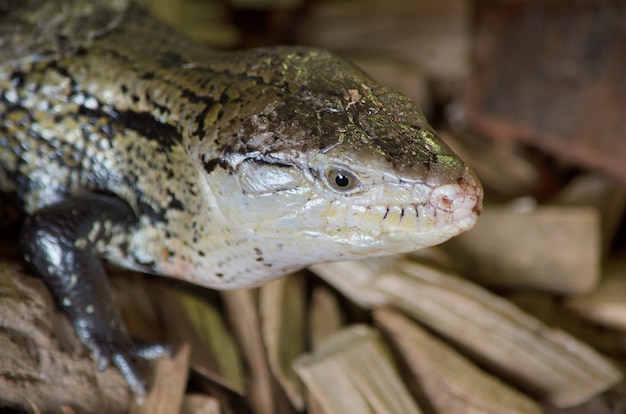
331, 166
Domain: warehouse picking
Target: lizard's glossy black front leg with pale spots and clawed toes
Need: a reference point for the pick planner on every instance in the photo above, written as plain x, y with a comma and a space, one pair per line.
62, 242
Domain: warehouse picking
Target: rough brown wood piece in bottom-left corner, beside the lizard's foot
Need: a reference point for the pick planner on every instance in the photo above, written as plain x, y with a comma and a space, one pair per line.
43, 366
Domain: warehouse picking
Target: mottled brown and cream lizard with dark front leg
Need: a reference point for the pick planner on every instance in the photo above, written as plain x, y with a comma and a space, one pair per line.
122, 140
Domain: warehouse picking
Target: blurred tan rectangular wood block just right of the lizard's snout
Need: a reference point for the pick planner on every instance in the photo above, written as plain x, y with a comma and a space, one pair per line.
556, 249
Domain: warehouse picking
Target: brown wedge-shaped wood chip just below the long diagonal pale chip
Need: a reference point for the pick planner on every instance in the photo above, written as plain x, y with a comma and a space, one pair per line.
448, 381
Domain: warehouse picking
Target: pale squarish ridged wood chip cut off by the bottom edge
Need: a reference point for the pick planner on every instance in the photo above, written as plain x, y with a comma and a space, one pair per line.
352, 372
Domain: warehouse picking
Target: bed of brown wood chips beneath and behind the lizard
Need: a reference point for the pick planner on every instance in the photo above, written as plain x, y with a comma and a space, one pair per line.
524, 314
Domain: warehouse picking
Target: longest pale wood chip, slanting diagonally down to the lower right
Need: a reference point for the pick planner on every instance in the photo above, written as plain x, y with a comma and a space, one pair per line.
548, 362
